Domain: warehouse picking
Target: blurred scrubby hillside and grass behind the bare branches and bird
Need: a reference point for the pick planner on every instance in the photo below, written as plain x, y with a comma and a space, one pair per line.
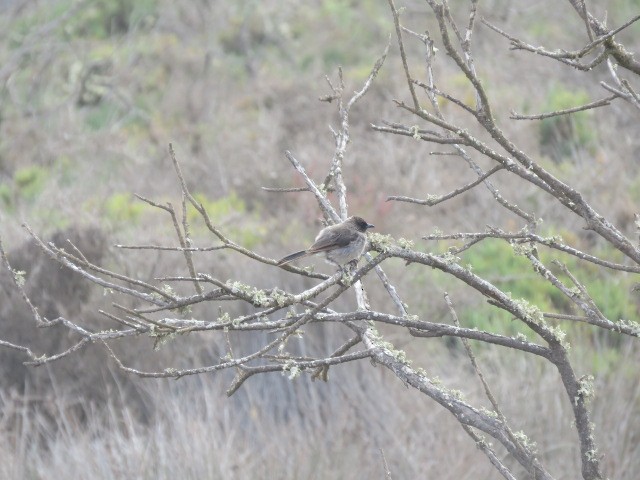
93, 93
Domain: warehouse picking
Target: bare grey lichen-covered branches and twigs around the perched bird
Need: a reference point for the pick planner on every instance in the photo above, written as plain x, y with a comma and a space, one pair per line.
285, 314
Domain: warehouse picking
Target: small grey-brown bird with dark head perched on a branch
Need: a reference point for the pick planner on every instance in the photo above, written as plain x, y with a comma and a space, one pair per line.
341, 243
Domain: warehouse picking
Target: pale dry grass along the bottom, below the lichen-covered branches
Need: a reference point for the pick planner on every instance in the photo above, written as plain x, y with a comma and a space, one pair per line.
277, 428
